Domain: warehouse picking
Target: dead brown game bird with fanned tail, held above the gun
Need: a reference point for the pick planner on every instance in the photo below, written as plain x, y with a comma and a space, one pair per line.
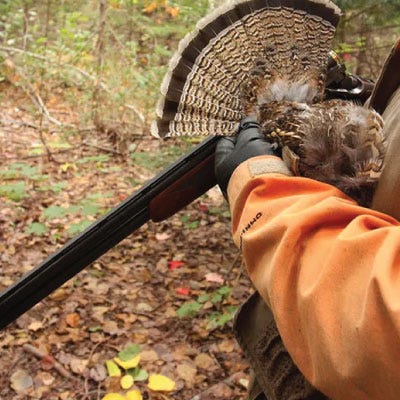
268, 58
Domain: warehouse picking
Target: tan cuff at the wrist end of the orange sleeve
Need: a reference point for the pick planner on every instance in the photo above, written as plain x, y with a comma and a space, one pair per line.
252, 168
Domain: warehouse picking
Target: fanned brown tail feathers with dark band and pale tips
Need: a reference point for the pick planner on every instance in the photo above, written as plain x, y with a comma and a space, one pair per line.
243, 54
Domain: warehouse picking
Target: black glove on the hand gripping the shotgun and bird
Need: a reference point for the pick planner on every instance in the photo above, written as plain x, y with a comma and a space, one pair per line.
233, 150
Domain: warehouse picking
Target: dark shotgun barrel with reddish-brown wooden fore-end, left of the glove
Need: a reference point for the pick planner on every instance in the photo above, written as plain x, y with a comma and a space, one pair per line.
171, 190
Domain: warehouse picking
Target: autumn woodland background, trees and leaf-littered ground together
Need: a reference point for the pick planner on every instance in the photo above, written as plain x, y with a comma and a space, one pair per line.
78, 86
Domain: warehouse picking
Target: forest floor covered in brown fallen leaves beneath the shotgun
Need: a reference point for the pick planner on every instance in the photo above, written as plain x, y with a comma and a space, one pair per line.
131, 295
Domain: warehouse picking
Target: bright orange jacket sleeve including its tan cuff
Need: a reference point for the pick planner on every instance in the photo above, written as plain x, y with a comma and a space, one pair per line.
330, 271
